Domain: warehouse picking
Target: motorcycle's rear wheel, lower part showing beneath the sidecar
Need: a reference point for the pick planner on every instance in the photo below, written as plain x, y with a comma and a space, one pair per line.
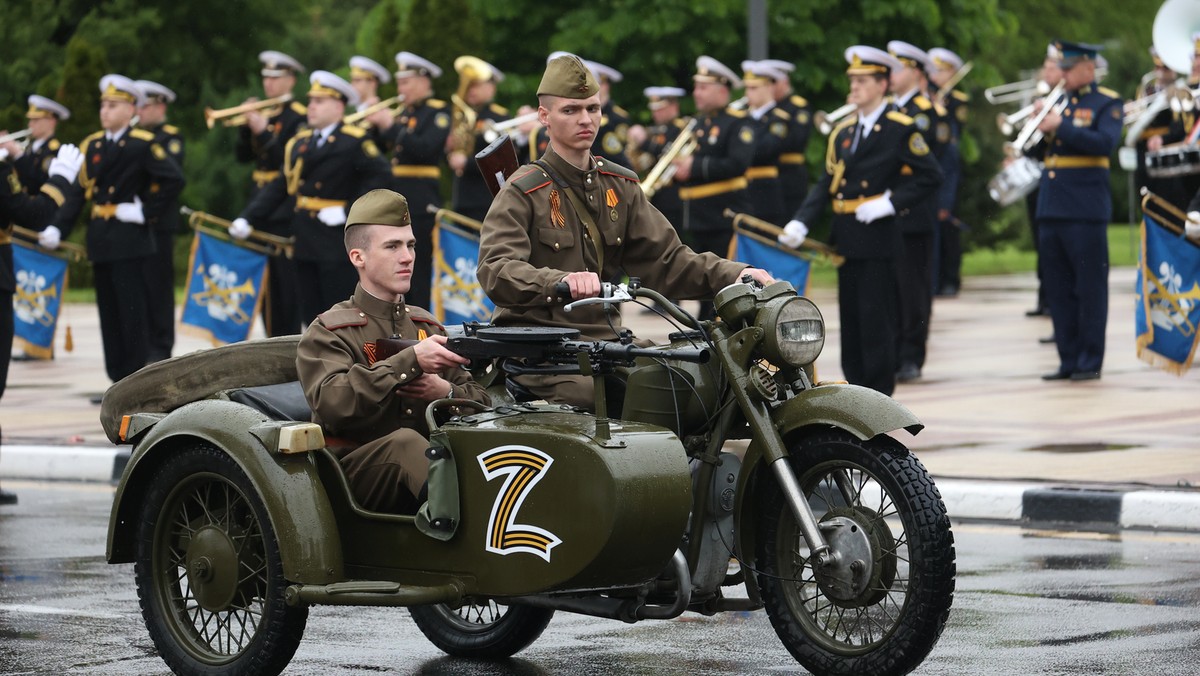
485, 632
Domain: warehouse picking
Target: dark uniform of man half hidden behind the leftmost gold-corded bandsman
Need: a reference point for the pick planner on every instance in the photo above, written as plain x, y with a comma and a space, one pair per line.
161, 267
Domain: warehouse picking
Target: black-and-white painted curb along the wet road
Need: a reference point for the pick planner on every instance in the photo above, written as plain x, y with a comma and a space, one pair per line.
1025, 504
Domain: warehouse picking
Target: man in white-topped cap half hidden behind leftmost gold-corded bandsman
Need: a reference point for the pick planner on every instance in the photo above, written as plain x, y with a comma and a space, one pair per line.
161, 267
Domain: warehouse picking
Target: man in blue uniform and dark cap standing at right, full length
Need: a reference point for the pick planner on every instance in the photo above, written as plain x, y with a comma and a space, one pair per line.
1075, 210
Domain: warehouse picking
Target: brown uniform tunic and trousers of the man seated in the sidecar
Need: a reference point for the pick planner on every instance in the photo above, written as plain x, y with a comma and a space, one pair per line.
355, 397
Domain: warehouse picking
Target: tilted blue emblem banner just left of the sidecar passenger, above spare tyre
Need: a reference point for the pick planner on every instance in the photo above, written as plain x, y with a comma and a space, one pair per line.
225, 290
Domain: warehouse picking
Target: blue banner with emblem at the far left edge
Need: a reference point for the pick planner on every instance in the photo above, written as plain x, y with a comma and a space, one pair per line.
41, 284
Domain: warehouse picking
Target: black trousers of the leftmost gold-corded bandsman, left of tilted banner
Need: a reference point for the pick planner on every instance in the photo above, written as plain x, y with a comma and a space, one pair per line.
122, 298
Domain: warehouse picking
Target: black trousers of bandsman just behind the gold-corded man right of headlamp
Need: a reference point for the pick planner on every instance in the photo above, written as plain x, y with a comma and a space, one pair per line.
915, 279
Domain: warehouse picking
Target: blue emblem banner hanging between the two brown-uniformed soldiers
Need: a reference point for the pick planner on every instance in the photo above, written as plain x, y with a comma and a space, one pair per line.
458, 296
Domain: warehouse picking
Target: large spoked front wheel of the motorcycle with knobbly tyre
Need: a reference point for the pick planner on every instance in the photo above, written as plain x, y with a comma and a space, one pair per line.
881, 603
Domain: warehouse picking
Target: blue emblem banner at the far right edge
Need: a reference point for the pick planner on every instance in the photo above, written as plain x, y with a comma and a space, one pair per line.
1168, 289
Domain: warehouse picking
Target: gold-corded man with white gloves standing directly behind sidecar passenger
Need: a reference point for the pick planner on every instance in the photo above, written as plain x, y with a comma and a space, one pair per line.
326, 167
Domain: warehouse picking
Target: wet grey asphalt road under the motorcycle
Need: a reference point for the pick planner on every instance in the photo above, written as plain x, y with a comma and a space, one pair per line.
1028, 603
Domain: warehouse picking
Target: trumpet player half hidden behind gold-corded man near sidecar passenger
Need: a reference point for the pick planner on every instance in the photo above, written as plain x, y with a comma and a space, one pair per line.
262, 142
